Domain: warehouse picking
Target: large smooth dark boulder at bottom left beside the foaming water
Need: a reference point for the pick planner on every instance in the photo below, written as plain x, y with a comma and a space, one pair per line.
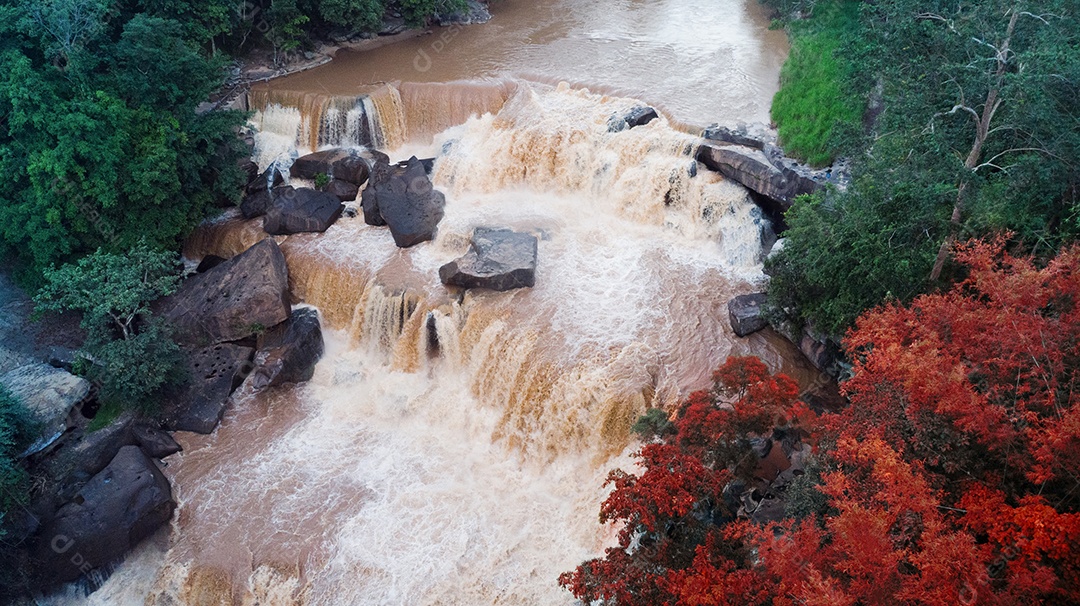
118, 508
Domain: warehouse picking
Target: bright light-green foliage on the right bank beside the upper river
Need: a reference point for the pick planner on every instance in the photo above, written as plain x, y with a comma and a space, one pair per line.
815, 106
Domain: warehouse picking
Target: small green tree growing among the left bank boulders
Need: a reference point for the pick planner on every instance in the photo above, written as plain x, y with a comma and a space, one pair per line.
130, 353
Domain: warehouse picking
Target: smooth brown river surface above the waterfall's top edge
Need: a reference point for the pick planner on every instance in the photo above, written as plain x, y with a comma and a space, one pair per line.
700, 61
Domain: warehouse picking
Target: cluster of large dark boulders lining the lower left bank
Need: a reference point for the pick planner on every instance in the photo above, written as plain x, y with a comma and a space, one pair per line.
103, 491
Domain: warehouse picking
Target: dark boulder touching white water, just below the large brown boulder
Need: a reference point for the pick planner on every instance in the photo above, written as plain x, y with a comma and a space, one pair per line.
289, 353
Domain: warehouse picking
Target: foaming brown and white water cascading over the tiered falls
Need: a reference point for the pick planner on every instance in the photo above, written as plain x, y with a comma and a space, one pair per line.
452, 449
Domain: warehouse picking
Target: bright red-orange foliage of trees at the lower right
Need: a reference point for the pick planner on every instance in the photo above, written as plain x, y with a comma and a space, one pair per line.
952, 478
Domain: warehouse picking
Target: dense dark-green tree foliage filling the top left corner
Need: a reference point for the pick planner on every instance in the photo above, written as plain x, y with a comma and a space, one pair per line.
101, 141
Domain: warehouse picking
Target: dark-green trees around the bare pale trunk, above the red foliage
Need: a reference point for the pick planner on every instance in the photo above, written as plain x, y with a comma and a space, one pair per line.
934, 62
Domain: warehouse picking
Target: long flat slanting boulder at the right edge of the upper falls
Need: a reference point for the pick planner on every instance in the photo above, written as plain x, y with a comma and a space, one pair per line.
754, 170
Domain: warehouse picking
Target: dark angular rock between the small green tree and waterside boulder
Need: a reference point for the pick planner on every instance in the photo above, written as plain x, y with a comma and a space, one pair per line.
214, 373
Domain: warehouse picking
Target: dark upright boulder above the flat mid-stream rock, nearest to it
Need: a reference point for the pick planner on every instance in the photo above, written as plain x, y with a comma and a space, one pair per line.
407, 201
